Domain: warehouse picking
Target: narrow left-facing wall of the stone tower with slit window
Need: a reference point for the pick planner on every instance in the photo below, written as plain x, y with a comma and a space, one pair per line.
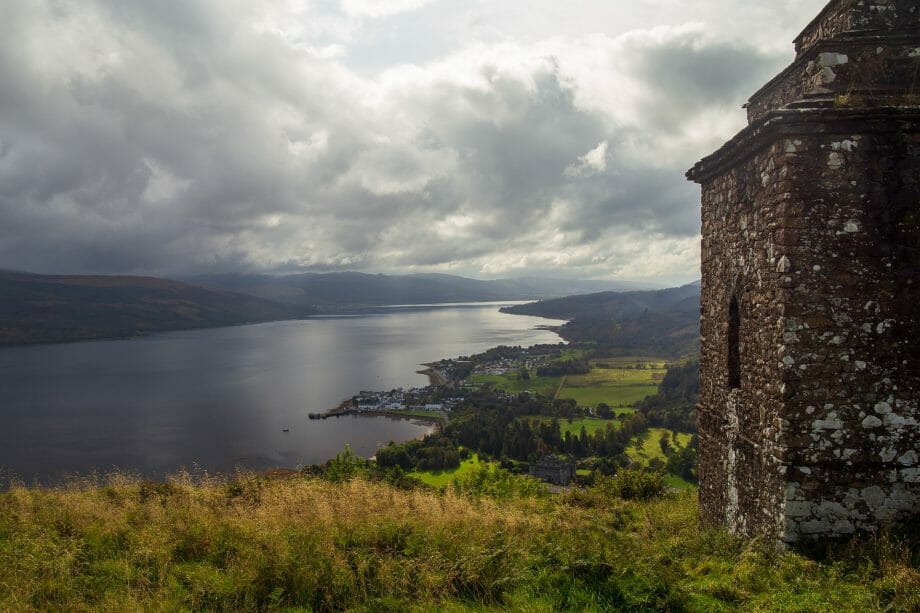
740, 437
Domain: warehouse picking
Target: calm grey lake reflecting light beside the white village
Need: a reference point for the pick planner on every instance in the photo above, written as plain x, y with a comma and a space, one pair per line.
218, 399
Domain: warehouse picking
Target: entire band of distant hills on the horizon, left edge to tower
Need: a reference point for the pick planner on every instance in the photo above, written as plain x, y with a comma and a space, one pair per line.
55, 308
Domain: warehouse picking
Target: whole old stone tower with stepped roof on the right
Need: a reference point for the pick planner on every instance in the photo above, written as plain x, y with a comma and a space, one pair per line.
810, 374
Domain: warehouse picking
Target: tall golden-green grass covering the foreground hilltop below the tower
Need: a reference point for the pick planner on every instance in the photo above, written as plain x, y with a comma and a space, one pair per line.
307, 544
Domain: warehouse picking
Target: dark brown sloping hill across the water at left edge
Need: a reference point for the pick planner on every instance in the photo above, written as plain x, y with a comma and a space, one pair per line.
40, 308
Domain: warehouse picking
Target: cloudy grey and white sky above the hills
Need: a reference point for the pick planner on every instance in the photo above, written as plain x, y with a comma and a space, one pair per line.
485, 138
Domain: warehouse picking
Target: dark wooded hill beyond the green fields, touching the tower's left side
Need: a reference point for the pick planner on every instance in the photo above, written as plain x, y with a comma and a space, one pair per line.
663, 323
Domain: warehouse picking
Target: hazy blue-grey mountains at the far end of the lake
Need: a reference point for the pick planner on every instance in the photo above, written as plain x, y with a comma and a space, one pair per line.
343, 290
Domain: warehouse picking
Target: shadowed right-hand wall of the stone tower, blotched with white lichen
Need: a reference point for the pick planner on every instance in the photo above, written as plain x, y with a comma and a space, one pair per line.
851, 349
